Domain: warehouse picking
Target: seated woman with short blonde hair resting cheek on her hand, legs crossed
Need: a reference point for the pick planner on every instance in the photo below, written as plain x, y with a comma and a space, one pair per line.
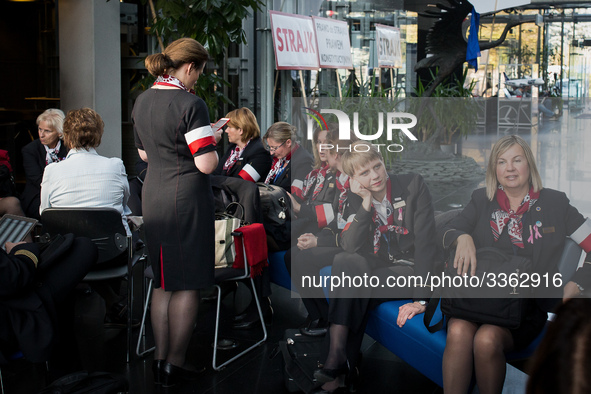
390, 234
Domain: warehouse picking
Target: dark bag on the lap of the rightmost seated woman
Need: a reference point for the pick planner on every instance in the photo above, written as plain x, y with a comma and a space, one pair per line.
501, 305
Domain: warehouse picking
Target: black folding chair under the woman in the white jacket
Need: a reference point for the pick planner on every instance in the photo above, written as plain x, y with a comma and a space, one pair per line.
105, 229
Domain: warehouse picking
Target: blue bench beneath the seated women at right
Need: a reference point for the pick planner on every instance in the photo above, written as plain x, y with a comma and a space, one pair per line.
413, 343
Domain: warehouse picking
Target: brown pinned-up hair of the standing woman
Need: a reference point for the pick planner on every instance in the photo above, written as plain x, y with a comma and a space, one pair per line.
177, 53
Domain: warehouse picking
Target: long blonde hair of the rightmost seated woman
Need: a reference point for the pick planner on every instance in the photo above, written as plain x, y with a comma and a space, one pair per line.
500, 147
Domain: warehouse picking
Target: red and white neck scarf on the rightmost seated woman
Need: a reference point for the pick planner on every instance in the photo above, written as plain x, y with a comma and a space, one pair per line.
507, 217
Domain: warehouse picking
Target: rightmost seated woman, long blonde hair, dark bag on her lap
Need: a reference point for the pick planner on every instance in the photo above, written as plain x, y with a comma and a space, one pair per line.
515, 214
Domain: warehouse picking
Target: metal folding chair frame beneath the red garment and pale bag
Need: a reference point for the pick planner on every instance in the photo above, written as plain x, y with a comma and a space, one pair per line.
234, 274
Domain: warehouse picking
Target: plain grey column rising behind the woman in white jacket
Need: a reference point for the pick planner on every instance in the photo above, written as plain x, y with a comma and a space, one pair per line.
90, 64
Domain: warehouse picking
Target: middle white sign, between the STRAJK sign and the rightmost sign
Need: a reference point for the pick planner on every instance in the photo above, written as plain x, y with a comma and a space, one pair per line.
334, 45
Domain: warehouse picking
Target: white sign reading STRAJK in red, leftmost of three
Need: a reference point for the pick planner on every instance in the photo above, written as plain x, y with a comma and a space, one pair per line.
294, 42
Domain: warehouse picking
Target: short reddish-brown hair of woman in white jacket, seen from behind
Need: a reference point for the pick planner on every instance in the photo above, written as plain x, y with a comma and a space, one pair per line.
83, 129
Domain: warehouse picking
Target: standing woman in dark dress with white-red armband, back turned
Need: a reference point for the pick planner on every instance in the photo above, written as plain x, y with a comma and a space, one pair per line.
173, 134
